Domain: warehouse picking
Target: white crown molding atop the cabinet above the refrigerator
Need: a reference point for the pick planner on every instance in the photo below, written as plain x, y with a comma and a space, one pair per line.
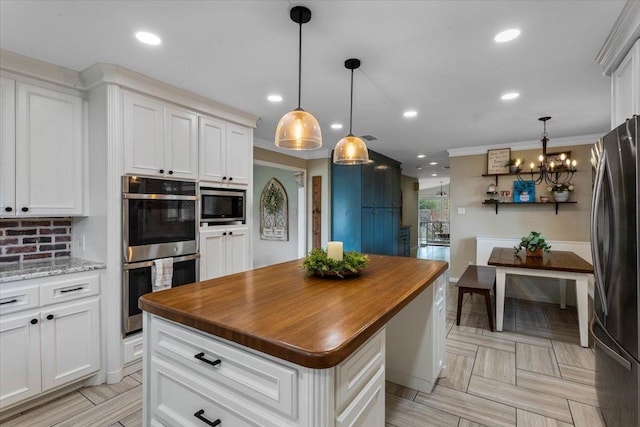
623, 35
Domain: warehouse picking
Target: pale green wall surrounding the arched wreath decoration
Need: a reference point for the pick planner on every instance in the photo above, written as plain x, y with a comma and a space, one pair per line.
267, 252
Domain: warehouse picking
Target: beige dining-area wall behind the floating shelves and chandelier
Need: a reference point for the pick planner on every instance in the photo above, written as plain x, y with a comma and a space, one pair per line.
468, 190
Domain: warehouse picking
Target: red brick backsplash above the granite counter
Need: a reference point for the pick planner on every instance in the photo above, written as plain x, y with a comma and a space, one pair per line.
34, 239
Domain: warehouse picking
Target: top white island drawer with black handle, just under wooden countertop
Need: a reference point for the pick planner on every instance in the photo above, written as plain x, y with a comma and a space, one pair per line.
251, 376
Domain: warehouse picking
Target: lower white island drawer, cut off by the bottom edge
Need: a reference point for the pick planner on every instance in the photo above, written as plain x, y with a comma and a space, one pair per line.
178, 397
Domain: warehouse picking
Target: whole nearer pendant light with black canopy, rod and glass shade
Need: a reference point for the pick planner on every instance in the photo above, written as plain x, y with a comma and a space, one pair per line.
299, 130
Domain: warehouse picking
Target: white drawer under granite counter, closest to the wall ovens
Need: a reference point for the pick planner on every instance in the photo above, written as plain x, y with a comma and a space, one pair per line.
69, 288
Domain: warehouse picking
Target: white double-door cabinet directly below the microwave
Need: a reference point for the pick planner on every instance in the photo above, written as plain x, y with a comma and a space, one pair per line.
223, 250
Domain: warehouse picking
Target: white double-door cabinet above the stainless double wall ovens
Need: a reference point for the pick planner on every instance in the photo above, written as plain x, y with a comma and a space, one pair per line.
159, 139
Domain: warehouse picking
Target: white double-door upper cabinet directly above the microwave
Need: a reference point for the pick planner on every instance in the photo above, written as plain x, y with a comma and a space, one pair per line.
225, 152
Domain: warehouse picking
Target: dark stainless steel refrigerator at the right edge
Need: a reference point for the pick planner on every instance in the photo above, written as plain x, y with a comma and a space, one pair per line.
614, 243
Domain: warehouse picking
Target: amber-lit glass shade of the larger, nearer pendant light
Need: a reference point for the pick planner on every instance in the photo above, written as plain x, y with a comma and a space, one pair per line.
298, 130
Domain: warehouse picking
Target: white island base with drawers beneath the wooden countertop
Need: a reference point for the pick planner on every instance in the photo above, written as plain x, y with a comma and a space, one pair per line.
197, 379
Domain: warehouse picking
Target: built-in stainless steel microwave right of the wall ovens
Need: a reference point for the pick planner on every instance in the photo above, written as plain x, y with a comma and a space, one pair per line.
220, 205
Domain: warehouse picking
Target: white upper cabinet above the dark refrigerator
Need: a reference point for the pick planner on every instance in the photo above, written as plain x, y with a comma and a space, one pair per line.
625, 87
